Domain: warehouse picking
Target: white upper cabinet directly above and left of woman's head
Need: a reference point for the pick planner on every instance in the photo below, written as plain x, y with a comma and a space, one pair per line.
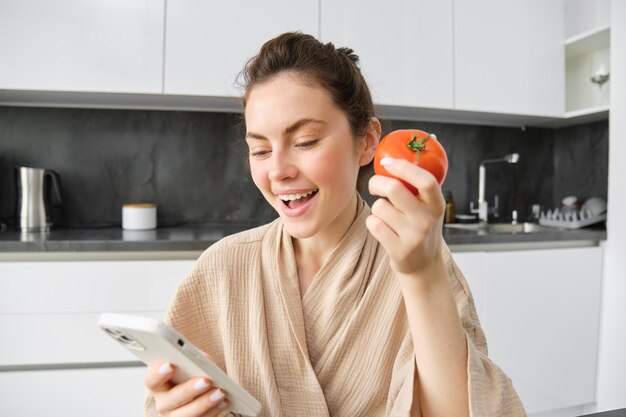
208, 42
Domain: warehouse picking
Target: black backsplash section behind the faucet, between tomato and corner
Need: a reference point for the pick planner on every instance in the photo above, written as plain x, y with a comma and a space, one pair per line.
517, 186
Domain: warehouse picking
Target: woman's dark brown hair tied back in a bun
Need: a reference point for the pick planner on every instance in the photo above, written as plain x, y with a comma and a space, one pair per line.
335, 69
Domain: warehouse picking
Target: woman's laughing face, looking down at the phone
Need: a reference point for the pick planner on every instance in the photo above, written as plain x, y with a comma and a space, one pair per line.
303, 156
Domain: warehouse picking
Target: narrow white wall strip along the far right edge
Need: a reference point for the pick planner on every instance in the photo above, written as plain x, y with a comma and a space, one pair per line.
611, 382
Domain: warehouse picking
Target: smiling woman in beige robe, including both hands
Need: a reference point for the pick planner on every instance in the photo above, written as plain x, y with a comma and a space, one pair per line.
333, 308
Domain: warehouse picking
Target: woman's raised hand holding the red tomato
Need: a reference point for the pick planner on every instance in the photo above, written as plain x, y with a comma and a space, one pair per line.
408, 226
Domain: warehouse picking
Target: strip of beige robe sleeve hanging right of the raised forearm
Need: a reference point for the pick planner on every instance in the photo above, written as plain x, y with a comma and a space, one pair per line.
491, 392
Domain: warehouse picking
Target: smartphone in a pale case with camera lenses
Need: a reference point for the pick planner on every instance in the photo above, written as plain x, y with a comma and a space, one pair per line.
153, 341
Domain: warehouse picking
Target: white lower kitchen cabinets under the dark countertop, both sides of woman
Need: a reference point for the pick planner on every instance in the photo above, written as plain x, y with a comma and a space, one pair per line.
538, 308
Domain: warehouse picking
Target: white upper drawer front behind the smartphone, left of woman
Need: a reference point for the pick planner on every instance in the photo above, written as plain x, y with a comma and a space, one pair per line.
58, 304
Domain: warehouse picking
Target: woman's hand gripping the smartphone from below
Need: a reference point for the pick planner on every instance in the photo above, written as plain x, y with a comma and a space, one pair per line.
193, 398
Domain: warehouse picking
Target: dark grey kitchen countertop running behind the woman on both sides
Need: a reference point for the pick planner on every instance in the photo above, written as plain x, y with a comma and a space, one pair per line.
198, 238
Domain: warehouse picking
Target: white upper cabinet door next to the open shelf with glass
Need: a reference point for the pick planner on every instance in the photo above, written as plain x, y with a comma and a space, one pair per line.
509, 56
